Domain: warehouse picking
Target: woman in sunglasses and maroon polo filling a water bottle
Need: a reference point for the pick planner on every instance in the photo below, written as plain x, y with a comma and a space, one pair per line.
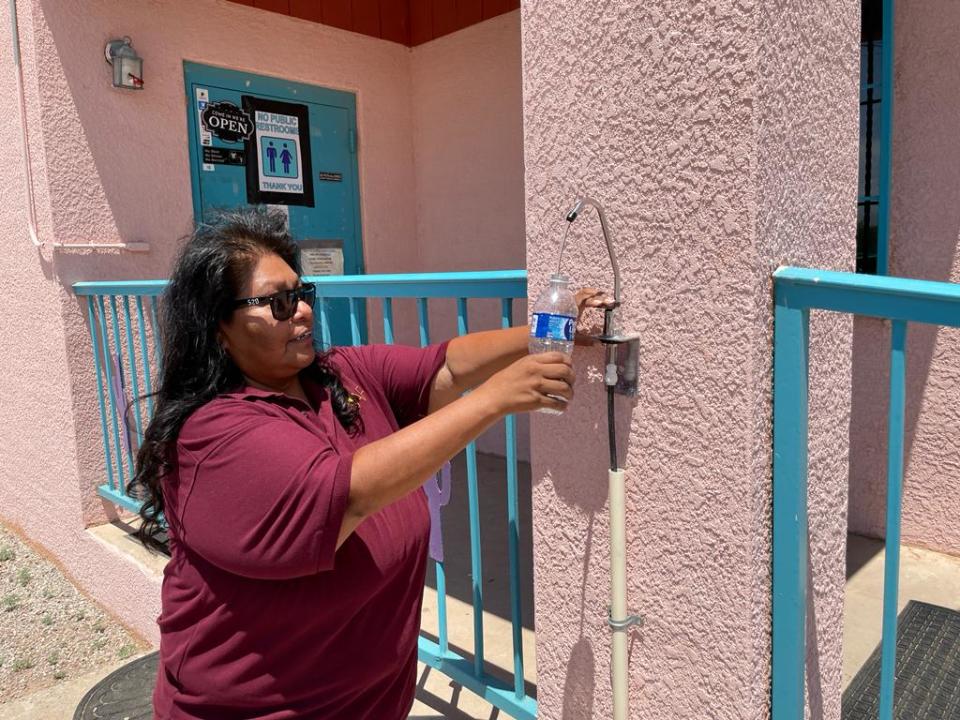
289, 483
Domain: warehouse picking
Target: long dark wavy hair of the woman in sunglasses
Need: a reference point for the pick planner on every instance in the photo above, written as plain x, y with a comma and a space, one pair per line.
212, 267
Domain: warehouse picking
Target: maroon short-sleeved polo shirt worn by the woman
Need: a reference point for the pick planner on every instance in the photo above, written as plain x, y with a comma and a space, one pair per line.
262, 617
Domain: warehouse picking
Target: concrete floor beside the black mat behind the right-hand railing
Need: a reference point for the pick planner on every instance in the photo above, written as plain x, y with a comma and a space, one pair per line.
924, 575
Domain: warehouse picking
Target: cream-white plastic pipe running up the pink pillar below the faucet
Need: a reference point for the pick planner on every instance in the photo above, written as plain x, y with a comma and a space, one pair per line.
618, 592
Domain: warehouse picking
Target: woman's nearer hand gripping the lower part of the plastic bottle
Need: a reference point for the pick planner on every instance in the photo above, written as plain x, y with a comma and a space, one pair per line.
528, 384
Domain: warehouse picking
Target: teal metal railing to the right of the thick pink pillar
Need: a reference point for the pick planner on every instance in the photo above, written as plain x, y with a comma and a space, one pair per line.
796, 292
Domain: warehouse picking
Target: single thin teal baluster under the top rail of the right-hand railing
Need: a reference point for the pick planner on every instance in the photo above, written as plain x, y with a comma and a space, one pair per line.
891, 569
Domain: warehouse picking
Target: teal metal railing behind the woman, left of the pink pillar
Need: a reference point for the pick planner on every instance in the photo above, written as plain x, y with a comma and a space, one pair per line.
122, 318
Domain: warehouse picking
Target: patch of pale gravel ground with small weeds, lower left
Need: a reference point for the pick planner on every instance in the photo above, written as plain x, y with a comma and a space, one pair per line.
50, 631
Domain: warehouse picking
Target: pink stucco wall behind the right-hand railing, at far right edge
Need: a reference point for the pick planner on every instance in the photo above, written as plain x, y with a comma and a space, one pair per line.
925, 233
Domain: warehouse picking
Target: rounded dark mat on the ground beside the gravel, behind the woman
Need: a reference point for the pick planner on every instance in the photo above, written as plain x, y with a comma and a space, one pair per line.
124, 694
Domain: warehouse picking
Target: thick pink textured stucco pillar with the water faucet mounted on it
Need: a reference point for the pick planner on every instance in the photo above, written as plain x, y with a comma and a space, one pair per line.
722, 138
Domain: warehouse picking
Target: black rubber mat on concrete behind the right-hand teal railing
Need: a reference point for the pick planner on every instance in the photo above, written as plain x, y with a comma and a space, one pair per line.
927, 685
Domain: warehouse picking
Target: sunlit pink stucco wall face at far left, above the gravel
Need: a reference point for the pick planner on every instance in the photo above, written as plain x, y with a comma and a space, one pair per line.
40, 442
